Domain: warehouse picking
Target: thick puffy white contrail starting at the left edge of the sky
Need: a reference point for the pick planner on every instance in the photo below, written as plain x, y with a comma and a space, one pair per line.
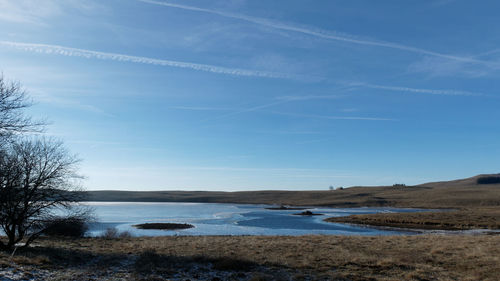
89, 54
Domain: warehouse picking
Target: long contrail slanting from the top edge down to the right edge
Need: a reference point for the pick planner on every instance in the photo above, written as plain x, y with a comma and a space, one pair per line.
325, 34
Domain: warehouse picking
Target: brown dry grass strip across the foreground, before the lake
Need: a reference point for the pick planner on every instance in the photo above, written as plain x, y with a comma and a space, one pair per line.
427, 257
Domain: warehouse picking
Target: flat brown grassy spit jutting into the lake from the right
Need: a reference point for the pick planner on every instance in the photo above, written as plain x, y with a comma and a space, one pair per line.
487, 218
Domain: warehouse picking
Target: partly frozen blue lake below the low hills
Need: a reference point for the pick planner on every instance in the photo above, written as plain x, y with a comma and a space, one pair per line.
228, 219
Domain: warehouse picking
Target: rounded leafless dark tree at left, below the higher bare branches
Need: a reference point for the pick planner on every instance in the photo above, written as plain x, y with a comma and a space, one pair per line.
38, 183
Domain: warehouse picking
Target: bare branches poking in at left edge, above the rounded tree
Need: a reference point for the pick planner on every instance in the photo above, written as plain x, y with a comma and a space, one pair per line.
13, 100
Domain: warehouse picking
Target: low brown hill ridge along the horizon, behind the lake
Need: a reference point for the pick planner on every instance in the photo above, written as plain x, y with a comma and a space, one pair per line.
446, 194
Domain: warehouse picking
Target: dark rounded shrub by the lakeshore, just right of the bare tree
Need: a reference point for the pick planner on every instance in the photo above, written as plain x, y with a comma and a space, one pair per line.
70, 227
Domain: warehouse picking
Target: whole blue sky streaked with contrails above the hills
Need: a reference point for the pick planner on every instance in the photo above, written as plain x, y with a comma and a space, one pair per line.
248, 95
